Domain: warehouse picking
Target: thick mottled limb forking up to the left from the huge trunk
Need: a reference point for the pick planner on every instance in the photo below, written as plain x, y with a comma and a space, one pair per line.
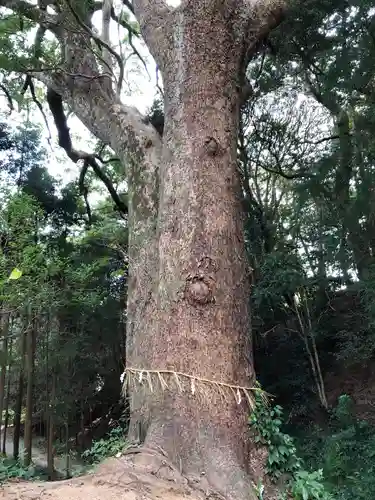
81, 85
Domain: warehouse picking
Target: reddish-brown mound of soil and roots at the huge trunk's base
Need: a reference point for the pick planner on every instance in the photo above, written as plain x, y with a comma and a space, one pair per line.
141, 474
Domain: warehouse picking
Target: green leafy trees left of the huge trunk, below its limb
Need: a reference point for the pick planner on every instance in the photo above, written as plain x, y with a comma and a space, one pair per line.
66, 282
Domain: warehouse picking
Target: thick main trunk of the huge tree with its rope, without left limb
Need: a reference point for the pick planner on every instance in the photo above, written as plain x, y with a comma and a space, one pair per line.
195, 327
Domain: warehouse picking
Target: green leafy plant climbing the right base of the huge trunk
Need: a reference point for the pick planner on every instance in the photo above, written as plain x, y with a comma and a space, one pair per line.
283, 460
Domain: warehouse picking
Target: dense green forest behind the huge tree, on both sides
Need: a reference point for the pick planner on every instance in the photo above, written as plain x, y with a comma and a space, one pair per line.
306, 157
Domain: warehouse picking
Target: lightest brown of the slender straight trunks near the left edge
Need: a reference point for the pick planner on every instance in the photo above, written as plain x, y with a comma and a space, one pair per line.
30, 353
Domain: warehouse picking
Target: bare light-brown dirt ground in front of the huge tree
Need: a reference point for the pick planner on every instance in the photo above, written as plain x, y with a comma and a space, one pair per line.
116, 479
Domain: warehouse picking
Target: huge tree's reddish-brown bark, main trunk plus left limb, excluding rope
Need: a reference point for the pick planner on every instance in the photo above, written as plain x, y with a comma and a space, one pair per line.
188, 286
